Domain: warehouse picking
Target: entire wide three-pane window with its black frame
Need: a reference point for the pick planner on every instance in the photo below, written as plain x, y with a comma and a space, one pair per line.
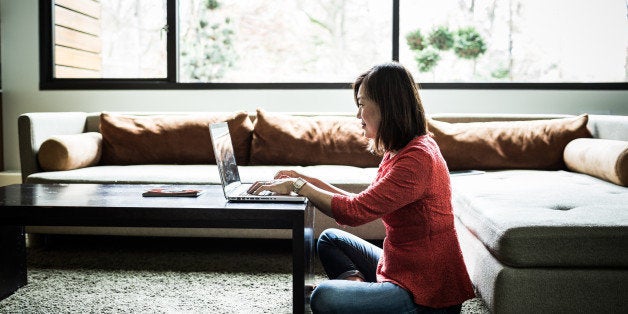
130, 44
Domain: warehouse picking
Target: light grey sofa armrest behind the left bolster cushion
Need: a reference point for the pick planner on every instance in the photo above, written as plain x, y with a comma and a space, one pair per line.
35, 128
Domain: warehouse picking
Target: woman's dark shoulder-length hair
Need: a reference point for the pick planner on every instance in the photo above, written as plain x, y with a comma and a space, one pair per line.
392, 87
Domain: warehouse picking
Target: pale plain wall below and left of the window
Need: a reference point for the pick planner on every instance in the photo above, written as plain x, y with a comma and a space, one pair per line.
20, 85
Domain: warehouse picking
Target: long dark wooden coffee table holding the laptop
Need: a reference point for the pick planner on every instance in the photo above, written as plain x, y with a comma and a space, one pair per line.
119, 205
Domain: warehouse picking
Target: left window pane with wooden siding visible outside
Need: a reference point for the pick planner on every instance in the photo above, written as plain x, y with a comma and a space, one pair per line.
109, 39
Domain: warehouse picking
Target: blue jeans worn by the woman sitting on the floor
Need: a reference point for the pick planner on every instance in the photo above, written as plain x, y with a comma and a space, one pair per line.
342, 255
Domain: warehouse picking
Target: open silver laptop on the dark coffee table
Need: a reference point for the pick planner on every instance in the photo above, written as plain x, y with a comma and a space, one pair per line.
233, 189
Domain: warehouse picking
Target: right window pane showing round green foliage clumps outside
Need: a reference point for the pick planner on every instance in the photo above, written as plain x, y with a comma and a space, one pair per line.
525, 41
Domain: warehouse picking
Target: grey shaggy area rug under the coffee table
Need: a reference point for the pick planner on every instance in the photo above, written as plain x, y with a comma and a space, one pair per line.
81, 274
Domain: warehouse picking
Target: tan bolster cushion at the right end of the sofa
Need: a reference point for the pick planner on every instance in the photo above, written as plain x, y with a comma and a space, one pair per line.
601, 158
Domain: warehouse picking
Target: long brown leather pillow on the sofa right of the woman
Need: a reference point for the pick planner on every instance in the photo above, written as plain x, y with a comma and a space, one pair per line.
536, 144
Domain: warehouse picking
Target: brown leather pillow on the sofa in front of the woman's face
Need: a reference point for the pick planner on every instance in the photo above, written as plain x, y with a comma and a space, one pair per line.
293, 140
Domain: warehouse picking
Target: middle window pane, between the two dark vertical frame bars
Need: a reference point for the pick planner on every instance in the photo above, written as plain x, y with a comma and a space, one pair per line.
289, 41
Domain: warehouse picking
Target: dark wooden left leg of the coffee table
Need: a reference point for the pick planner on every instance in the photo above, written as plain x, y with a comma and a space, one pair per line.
13, 261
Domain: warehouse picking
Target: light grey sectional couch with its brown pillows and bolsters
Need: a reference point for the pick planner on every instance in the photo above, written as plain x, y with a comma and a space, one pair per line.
540, 201
